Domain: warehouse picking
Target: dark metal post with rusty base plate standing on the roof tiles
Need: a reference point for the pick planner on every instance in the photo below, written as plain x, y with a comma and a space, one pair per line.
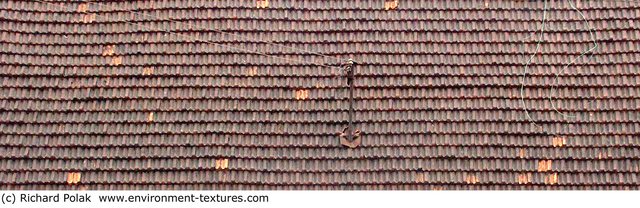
350, 136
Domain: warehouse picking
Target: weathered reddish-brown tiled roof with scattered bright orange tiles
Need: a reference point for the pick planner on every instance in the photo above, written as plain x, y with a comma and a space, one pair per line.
93, 96
